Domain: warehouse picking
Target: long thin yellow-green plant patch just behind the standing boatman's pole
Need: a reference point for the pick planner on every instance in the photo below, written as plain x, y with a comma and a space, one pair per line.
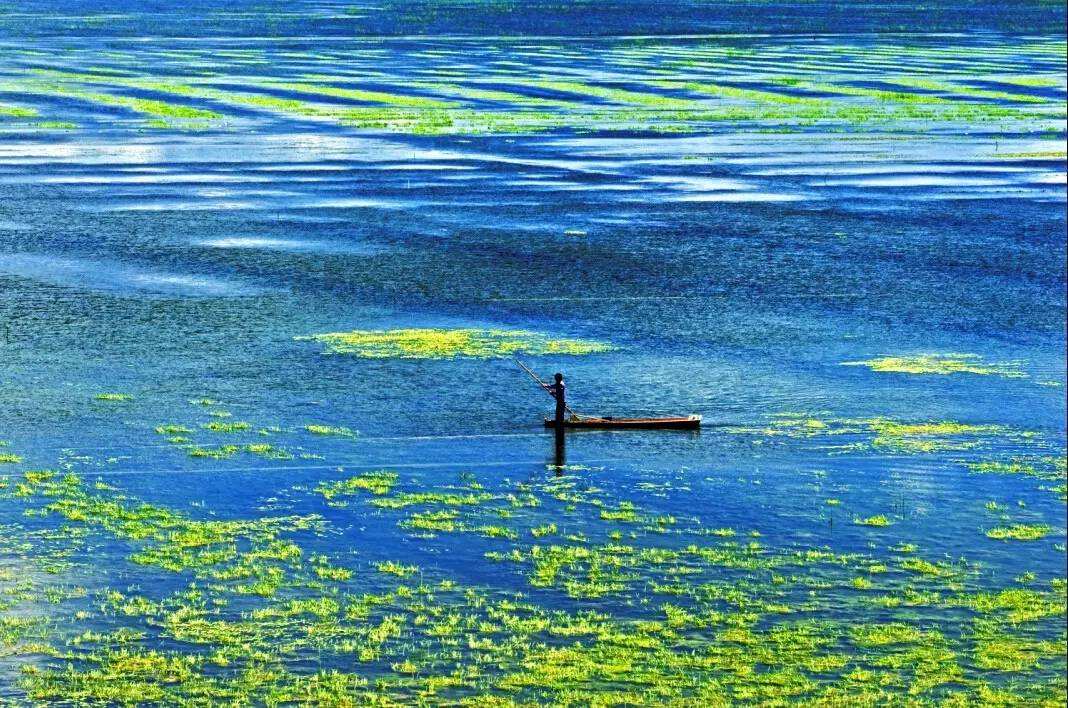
450, 344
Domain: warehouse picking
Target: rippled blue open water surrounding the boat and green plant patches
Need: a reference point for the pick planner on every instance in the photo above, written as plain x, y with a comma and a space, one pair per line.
734, 266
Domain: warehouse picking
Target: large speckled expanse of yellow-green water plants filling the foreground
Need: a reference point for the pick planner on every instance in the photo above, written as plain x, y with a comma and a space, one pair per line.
601, 605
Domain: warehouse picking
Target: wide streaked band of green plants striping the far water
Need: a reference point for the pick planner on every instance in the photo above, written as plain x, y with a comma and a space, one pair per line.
630, 95
